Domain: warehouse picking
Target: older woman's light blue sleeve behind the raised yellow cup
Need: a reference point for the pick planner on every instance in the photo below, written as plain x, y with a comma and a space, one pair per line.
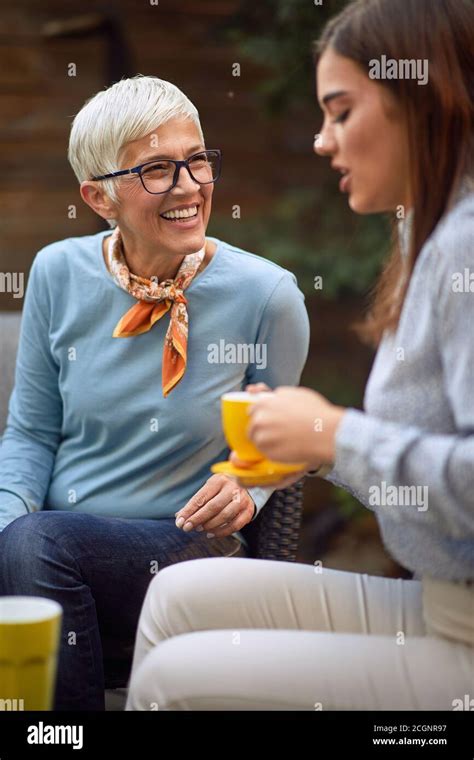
284, 336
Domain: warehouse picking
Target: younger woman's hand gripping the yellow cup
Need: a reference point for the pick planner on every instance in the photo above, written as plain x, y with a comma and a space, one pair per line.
295, 425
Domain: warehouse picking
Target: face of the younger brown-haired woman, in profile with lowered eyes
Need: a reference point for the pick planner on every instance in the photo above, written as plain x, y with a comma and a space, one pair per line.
364, 134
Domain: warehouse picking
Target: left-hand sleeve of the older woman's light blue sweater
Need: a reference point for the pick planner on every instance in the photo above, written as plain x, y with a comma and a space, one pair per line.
34, 421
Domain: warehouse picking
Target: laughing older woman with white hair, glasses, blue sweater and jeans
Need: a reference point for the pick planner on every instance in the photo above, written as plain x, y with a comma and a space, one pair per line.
114, 420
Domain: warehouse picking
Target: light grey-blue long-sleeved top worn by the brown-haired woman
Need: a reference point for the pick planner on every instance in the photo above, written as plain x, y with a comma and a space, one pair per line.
409, 455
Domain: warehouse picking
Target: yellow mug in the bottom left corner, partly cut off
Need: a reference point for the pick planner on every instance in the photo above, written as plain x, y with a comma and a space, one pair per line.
30, 630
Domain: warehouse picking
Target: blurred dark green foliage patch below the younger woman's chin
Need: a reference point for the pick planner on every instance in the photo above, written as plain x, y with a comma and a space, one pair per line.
345, 252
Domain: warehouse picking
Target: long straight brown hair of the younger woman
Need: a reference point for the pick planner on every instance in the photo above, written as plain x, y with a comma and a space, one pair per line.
439, 116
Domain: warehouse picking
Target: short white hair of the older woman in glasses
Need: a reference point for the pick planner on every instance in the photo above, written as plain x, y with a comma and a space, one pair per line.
126, 111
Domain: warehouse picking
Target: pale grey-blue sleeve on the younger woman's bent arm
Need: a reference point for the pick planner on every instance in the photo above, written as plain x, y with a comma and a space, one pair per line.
370, 450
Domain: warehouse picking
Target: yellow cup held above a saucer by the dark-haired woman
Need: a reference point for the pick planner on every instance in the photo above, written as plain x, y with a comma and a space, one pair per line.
235, 423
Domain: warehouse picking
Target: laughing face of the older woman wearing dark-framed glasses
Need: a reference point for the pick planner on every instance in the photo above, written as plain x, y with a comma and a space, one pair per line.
140, 214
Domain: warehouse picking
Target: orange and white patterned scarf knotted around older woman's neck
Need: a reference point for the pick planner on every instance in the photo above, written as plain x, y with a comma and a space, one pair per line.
155, 300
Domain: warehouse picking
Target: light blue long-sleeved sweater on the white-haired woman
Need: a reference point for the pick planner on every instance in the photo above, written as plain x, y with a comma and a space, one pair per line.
88, 428
